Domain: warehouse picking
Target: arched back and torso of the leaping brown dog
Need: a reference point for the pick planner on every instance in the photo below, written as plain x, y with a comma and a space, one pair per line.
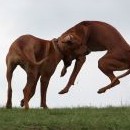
100, 36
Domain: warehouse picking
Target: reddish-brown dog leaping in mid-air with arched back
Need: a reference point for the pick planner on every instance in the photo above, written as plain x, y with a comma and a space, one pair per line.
89, 36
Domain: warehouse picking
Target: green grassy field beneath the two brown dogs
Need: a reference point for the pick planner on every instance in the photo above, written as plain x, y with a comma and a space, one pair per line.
111, 118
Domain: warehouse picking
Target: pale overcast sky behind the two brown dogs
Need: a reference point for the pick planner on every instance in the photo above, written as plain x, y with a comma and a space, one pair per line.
48, 19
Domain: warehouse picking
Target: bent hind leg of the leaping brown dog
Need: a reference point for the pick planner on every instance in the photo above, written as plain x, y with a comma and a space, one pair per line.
107, 65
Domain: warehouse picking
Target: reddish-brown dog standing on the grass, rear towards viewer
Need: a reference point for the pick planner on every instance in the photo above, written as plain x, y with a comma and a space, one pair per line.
38, 58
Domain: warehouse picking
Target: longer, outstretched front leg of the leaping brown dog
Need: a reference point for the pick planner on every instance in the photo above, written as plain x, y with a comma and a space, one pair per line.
78, 64
